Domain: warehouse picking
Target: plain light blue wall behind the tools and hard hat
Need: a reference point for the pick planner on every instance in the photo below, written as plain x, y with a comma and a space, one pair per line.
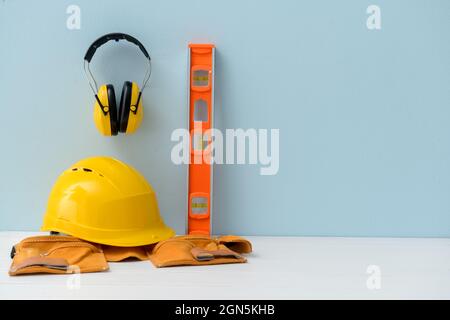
364, 116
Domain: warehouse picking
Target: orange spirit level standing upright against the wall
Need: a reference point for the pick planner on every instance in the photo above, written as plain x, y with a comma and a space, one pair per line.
201, 115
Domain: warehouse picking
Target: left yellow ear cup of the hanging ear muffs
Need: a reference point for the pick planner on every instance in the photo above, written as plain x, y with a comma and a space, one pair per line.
105, 111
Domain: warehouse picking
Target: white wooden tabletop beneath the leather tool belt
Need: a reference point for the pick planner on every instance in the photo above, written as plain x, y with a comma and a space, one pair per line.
279, 268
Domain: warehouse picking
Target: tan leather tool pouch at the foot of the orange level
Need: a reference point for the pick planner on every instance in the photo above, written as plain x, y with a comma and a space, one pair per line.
199, 250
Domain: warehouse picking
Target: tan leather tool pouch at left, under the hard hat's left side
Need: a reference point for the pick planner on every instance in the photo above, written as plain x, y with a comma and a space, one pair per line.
56, 254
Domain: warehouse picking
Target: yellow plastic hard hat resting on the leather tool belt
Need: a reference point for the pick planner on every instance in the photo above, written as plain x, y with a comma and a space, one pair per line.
106, 201
